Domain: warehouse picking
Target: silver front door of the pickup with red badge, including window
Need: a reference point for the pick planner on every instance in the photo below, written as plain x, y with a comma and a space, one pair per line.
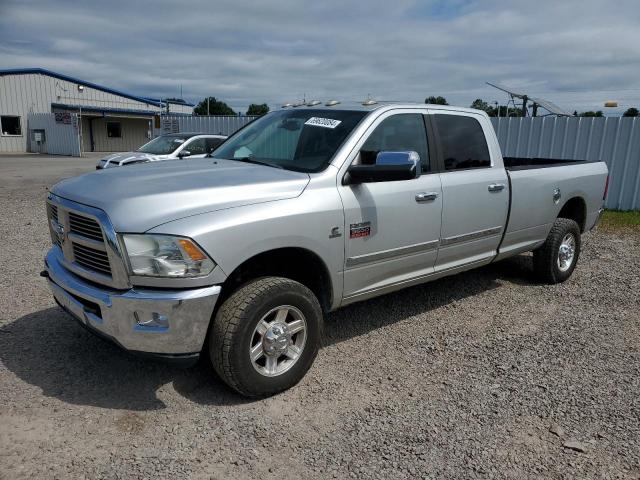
392, 229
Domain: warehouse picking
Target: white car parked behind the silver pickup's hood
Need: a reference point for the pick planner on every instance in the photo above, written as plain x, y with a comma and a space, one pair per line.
166, 147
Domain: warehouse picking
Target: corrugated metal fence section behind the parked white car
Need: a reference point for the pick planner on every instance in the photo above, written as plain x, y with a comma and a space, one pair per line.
204, 124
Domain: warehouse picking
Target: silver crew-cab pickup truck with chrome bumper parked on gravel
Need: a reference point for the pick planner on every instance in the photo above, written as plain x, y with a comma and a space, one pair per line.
305, 210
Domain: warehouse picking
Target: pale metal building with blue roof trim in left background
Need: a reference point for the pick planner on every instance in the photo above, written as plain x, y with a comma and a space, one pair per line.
106, 119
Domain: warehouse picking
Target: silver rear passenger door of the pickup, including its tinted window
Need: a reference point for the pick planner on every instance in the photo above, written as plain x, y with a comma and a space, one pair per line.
475, 189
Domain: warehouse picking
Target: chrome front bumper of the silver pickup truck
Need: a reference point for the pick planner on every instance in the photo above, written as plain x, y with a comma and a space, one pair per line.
167, 324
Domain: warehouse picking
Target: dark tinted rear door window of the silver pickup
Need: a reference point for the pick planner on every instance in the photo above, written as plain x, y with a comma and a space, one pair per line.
463, 142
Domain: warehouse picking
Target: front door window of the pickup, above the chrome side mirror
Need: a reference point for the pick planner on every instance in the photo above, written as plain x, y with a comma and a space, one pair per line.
402, 132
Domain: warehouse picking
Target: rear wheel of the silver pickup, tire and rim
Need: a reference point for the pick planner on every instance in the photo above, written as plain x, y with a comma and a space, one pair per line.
552, 265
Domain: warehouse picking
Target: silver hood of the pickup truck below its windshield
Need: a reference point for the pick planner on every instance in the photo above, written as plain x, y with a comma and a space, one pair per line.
139, 197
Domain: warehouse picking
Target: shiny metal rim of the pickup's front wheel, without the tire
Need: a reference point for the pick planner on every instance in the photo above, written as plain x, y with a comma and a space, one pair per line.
278, 340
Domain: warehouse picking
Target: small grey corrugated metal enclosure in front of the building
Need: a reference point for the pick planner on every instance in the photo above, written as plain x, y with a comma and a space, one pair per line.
55, 134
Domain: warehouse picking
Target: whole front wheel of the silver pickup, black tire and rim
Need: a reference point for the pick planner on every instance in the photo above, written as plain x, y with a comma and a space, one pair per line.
235, 336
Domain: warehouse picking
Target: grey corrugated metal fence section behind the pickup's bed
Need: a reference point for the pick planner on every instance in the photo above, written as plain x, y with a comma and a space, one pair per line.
614, 140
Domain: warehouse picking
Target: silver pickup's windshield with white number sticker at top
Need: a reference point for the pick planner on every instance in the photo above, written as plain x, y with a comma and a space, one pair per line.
301, 140
